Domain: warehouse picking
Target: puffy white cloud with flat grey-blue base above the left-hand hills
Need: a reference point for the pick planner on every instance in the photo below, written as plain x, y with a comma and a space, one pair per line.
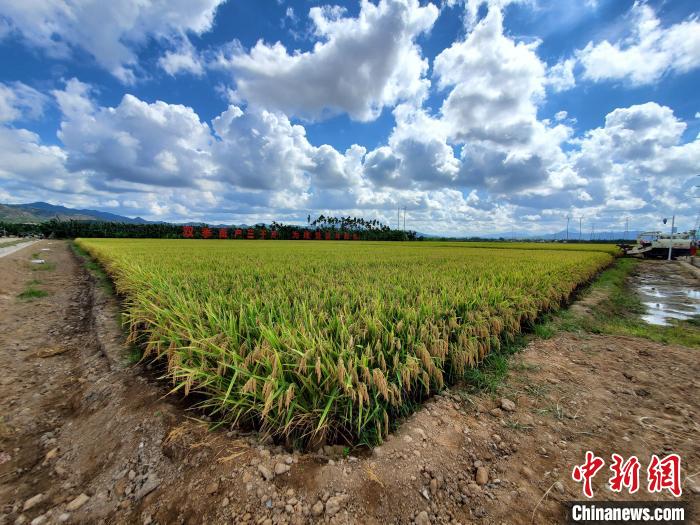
134, 142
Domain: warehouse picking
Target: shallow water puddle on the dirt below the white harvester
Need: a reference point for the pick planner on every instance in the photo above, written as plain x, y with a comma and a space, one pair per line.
667, 294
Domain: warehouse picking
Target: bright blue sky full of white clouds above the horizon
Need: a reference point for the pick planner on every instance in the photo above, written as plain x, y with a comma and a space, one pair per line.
477, 116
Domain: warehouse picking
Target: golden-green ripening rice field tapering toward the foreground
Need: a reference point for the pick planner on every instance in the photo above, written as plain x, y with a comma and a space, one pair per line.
314, 341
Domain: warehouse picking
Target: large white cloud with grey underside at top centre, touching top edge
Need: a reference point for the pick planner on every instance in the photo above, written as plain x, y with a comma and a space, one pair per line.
358, 66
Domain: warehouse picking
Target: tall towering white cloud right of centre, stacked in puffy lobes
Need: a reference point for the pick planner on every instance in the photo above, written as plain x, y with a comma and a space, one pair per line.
496, 85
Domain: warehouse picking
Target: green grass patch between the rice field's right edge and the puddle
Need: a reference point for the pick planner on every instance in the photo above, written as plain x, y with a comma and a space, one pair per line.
618, 313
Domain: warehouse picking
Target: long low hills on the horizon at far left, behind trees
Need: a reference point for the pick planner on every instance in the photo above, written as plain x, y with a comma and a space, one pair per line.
43, 211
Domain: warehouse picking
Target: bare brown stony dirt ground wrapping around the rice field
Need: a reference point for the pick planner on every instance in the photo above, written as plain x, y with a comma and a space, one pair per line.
95, 439
